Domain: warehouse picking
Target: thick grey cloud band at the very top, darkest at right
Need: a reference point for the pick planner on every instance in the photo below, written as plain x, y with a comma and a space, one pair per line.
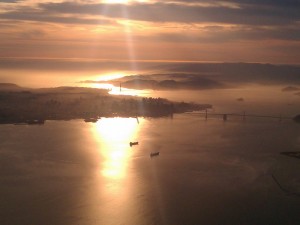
246, 14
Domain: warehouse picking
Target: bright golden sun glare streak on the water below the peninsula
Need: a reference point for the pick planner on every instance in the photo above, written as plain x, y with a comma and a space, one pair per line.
114, 181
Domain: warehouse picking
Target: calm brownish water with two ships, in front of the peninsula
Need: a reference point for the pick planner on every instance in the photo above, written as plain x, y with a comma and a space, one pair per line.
208, 172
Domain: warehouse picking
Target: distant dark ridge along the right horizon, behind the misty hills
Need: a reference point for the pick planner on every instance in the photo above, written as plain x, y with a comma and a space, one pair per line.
241, 73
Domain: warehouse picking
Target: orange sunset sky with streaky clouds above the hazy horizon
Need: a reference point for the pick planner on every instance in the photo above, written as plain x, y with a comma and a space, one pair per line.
68, 35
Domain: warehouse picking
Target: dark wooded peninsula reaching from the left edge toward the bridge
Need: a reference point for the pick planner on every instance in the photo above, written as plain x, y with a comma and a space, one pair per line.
34, 106
